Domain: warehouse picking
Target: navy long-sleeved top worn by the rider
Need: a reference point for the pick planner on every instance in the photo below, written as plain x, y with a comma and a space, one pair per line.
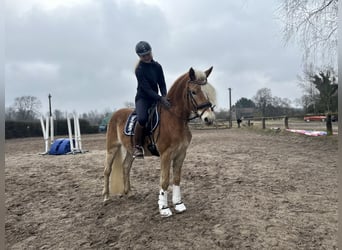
150, 77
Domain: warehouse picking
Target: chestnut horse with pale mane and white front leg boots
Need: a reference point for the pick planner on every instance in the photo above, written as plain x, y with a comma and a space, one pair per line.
191, 96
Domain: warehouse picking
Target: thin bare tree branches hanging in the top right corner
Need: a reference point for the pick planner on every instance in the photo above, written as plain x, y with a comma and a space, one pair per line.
313, 23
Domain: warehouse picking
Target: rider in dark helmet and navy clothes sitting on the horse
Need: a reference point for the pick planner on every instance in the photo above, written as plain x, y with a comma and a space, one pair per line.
150, 77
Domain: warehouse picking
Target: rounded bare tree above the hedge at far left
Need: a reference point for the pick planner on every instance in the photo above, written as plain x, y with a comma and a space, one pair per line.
26, 107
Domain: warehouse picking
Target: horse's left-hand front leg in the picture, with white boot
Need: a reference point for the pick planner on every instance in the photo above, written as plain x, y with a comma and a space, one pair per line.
164, 209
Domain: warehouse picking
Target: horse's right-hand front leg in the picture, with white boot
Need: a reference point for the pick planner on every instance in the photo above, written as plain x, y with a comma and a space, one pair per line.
176, 193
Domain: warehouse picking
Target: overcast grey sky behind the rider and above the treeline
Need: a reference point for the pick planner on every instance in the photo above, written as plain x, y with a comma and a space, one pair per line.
82, 51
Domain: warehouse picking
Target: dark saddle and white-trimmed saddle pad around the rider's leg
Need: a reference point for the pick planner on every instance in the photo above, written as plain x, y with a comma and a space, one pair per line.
151, 125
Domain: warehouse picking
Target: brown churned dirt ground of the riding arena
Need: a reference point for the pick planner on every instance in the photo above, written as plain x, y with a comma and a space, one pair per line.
243, 190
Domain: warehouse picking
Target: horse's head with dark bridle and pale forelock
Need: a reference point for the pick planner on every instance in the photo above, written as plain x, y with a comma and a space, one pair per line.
201, 95
